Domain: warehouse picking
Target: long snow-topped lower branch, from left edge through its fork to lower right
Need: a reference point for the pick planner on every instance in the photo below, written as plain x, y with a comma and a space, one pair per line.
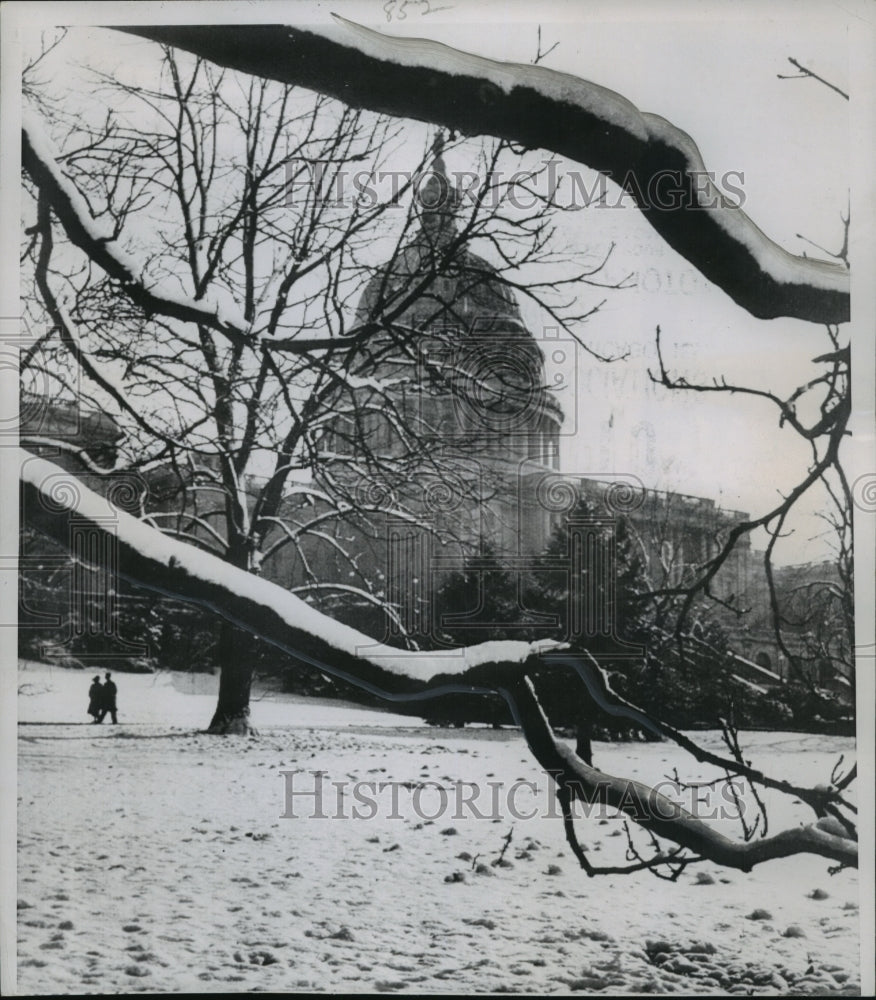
53, 501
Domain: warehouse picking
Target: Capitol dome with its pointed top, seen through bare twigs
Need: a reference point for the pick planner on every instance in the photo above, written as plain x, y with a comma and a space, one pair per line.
453, 312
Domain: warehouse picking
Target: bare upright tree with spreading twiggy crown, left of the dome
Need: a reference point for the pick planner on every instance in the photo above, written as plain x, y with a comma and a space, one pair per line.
200, 271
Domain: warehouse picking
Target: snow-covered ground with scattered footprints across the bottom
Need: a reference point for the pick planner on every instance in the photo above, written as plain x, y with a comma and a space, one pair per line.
154, 858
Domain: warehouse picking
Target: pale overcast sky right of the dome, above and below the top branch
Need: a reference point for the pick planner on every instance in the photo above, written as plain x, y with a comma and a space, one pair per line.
712, 71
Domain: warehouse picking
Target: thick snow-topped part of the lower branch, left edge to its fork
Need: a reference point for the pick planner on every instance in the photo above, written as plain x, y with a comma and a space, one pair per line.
156, 561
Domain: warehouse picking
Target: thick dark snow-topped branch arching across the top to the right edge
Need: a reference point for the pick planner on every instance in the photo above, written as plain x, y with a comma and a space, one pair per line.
540, 108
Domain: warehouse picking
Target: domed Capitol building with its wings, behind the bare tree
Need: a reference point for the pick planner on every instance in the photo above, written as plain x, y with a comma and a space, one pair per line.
446, 459
